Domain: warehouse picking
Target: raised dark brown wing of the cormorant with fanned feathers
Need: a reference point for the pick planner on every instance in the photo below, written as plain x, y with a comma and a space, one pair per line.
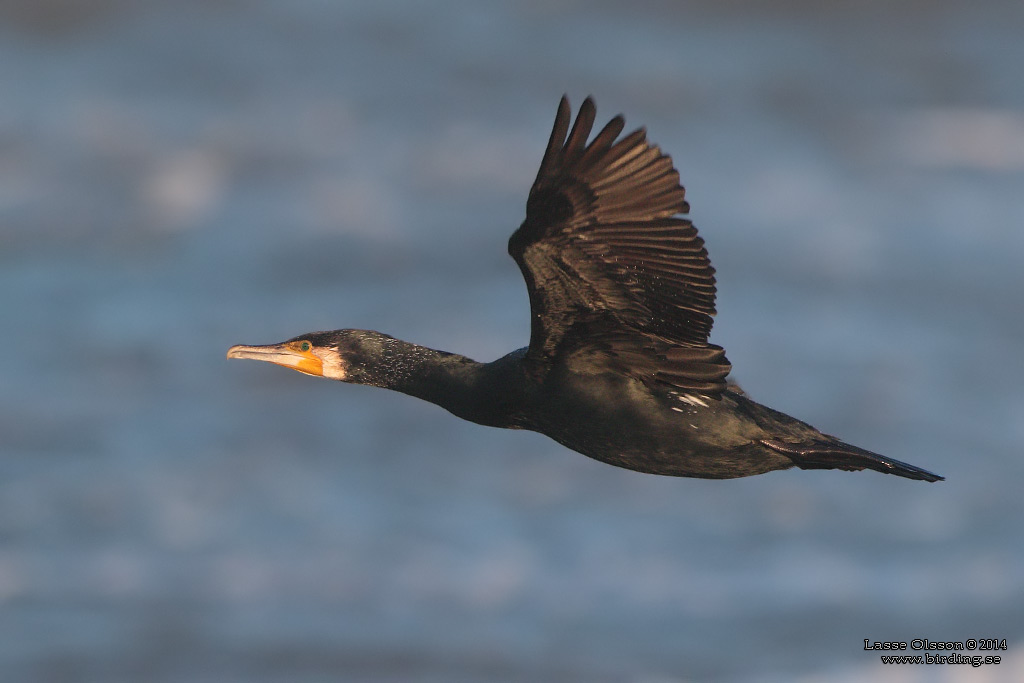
617, 280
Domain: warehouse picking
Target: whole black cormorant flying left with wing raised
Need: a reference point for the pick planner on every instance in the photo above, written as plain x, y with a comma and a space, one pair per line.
619, 367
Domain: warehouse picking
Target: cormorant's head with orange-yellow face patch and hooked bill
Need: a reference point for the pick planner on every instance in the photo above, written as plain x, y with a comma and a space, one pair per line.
340, 355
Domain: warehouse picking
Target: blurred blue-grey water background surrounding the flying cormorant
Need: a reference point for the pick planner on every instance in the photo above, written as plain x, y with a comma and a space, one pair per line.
179, 177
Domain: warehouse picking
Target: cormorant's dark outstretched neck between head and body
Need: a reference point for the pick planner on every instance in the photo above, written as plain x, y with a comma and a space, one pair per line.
456, 383
